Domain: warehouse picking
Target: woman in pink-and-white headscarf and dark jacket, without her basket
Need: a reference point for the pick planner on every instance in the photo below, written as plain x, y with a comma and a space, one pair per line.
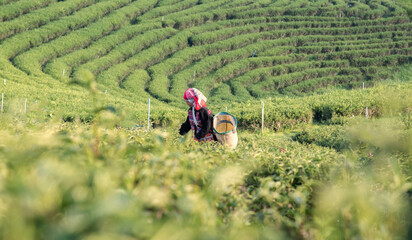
199, 118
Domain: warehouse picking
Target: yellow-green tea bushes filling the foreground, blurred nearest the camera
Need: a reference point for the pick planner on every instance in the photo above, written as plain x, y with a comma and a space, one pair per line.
157, 185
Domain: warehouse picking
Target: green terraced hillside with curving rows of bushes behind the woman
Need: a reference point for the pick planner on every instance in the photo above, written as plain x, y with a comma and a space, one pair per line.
232, 50
